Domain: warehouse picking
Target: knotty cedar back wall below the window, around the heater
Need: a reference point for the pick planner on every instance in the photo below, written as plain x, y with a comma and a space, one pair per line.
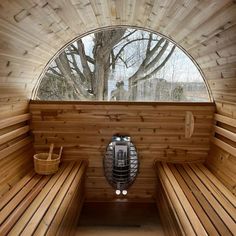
157, 130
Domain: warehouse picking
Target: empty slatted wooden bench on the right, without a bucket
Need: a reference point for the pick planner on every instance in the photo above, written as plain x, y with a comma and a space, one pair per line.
192, 201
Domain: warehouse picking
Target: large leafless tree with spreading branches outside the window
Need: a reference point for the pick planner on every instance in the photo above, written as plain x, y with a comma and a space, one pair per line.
85, 75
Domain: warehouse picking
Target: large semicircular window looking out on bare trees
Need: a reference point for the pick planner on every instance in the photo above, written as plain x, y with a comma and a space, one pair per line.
122, 64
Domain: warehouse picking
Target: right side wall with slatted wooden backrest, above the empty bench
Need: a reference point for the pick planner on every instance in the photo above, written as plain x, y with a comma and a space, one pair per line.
222, 157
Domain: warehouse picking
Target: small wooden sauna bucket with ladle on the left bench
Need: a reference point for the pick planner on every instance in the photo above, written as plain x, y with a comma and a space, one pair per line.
47, 163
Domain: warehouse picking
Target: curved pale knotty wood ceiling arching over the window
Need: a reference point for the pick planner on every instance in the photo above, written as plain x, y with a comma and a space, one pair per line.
32, 31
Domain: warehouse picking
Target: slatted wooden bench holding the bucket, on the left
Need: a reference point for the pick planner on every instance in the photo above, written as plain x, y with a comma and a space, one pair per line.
44, 205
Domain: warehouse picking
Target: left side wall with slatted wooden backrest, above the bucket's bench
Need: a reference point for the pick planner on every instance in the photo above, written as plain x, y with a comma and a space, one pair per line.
16, 149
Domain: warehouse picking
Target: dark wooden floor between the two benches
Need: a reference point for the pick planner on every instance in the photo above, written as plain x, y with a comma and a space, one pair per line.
113, 219
